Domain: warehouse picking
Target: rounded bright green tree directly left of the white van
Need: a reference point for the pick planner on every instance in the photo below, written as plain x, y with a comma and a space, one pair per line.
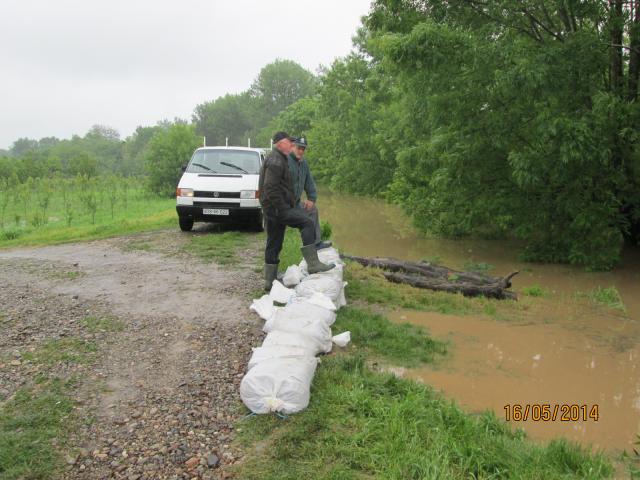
167, 151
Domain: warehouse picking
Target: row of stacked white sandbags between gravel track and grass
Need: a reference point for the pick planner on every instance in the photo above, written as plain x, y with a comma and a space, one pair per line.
280, 371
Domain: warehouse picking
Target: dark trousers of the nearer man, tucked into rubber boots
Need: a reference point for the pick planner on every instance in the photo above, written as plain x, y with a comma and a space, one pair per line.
277, 221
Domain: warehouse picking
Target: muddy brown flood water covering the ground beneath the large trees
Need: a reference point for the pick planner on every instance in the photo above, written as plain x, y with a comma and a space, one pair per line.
558, 349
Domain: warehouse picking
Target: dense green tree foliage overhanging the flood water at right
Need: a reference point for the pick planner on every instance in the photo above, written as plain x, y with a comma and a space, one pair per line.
499, 119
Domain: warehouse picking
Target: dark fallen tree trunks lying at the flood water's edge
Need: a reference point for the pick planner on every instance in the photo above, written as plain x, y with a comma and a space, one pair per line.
439, 278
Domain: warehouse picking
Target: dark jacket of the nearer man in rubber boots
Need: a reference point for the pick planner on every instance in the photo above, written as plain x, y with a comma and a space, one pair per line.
276, 189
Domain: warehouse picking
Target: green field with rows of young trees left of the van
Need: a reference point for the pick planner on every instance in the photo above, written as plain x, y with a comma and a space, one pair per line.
58, 210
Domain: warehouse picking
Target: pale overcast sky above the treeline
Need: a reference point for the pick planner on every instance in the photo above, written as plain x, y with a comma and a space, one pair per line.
69, 64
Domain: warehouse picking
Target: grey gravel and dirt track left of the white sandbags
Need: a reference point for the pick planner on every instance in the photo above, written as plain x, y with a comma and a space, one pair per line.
160, 394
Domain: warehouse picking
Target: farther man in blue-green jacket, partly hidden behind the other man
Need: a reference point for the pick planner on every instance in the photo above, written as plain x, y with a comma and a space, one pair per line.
303, 181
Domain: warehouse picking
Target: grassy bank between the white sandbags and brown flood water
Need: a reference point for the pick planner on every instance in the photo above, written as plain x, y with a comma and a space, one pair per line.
363, 420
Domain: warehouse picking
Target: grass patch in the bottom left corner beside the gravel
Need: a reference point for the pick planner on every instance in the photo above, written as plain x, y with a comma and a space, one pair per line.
34, 423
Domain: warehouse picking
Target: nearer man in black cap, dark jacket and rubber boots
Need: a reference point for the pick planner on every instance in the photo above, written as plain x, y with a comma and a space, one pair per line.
278, 206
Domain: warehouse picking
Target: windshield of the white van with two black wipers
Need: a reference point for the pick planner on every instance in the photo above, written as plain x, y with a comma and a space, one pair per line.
225, 161
